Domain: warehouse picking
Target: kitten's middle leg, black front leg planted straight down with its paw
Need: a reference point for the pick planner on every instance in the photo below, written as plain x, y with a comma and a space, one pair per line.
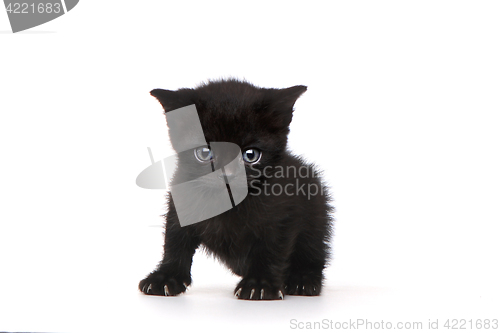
263, 279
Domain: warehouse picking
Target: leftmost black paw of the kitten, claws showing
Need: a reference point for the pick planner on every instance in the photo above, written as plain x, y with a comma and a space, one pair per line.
164, 284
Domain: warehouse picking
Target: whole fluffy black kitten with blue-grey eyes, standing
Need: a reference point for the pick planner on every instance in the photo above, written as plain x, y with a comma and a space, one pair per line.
277, 238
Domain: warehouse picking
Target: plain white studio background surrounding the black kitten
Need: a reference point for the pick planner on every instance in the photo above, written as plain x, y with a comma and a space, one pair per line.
402, 113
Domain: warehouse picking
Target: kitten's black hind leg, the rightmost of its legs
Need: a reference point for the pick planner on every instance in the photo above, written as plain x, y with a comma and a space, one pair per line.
305, 273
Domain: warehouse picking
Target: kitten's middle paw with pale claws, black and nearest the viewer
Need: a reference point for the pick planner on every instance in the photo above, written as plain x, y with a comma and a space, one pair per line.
254, 289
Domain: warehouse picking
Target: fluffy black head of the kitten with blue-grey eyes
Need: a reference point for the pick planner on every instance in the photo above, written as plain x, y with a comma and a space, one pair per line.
255, 119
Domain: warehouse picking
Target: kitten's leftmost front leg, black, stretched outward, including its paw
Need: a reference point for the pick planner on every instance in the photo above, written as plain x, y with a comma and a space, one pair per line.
173, 274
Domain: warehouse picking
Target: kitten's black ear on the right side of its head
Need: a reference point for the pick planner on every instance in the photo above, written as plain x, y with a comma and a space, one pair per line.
279, 106
